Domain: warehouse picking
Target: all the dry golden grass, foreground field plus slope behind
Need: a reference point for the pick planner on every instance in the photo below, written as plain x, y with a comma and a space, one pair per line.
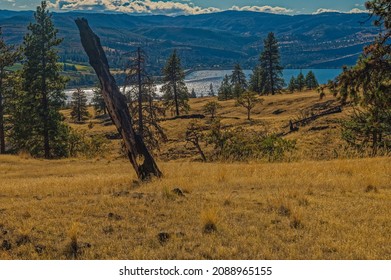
317, 205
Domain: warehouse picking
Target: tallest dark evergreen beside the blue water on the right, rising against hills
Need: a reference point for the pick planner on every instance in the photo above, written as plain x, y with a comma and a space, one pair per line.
270, 64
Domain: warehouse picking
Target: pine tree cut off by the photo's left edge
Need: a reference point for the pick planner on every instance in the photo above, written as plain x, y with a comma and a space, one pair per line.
8, 56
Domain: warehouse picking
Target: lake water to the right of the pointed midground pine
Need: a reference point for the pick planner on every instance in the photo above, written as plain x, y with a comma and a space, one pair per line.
200, 80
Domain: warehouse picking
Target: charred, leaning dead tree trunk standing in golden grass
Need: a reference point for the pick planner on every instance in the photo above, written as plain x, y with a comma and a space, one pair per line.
138, 154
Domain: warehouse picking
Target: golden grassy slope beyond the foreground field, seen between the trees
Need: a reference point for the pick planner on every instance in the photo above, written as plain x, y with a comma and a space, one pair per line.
318, 140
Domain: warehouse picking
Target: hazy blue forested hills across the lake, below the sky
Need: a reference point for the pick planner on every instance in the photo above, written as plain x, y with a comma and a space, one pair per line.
327, 40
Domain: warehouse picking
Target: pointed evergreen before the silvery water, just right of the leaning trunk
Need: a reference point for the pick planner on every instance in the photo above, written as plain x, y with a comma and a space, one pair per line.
176, 94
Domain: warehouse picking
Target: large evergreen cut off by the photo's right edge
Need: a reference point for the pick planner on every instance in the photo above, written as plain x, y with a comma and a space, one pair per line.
367, 85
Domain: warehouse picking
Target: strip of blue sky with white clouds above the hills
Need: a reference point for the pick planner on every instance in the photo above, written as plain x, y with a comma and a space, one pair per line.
187, 7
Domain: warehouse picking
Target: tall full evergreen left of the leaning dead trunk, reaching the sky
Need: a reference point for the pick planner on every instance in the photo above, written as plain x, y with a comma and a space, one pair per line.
37, 125
